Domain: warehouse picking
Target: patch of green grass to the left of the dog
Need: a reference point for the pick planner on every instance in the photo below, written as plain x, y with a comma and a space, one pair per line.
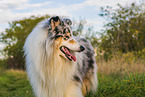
14, 83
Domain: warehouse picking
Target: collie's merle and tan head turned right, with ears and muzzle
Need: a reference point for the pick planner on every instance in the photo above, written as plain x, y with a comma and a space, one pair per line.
64, 42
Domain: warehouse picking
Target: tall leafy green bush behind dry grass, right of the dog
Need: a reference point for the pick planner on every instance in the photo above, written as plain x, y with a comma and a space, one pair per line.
125, 30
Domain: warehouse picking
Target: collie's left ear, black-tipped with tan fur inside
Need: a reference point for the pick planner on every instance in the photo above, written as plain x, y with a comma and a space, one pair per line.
54, 21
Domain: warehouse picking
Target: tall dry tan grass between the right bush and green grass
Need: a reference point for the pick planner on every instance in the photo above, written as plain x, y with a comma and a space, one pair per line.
125, 64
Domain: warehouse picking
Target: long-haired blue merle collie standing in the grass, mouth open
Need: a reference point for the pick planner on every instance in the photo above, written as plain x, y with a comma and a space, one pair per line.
59, 64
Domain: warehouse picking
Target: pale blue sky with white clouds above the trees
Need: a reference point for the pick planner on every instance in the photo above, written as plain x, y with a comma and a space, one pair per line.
11, 10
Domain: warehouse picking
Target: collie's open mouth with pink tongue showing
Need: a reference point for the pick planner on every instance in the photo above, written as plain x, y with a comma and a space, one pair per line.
68, 53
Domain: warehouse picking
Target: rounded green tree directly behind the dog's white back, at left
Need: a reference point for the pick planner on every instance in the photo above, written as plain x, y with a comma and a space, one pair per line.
14, 38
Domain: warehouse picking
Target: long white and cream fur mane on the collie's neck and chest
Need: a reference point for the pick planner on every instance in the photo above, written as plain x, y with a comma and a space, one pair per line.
43, 60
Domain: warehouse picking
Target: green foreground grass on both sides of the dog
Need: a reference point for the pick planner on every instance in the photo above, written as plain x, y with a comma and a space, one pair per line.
14, 83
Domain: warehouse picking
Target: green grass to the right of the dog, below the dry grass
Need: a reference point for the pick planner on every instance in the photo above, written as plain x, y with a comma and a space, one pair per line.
131, 85
